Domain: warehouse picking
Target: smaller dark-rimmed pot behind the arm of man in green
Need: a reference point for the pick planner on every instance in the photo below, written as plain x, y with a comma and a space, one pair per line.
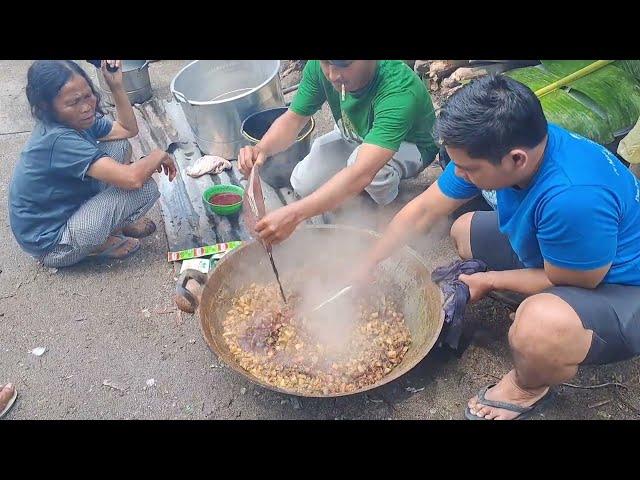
277, 170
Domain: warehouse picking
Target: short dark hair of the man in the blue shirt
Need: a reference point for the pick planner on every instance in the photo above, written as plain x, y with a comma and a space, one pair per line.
490, 116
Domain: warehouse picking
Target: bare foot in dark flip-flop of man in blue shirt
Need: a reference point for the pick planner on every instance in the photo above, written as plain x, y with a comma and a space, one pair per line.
506, 390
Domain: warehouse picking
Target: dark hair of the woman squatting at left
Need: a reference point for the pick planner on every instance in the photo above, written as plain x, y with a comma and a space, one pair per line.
45, 78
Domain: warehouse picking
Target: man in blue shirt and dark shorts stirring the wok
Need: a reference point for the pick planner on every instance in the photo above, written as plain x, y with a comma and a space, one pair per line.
566, 234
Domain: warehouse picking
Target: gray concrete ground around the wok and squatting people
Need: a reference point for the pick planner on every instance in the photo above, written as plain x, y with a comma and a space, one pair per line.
110, 328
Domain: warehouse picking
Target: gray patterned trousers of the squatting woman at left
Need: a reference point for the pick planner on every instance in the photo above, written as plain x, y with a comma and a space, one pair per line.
93, 222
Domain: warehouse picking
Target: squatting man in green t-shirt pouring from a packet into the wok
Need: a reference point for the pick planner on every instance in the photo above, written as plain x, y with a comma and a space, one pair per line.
384, 119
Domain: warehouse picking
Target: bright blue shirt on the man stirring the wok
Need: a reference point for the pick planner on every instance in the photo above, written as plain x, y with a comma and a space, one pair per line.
581, 210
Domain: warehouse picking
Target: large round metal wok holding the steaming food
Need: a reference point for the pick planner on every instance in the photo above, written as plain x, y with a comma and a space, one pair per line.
327, 248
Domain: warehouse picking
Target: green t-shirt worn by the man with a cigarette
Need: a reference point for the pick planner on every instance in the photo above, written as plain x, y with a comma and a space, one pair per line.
395, 107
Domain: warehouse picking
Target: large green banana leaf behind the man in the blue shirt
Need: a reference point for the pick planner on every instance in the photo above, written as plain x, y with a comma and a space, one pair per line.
601, 105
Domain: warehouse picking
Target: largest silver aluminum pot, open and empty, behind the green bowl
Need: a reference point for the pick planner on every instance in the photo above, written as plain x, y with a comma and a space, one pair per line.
217, 95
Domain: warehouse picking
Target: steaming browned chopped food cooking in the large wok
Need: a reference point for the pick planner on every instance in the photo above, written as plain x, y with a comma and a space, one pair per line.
276, 344
